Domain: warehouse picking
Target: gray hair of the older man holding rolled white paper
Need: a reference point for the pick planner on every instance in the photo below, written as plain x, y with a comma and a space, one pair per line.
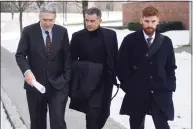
49, 7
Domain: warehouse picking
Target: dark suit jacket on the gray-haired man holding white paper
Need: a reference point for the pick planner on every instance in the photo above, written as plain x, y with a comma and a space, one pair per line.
30, 54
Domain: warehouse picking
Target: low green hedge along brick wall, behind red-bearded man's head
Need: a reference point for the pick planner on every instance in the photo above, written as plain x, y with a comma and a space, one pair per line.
162, 27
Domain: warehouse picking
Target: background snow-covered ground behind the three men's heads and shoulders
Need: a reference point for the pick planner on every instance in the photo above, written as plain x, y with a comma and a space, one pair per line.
10, 36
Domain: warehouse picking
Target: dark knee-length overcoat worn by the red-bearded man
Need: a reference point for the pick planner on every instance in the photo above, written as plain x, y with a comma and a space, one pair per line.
139, 75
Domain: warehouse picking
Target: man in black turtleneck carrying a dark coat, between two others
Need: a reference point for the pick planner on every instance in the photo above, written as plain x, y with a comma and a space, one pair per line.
93, 50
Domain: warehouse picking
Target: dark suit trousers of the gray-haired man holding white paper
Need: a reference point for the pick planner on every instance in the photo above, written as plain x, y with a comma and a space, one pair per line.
55, 100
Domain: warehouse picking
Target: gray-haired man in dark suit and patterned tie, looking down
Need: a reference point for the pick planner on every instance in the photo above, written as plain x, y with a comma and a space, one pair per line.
43, 54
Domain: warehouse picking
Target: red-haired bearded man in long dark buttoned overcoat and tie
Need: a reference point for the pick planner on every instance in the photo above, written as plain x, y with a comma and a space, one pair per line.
146, 69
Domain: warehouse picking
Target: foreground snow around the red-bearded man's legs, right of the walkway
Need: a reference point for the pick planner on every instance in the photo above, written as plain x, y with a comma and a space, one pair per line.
181, 98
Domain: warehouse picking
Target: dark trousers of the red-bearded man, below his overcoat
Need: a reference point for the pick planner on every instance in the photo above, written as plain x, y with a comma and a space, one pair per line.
159, 119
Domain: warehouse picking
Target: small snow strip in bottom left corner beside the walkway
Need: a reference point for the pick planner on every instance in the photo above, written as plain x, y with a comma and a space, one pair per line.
5, 124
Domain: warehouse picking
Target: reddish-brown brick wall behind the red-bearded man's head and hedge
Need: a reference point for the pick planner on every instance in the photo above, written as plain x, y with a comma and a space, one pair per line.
169, 11
